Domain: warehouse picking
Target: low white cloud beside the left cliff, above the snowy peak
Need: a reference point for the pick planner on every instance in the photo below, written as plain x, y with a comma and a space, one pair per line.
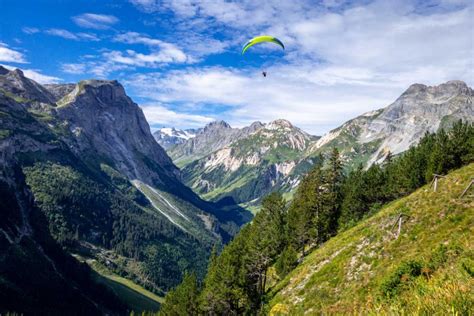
160, 116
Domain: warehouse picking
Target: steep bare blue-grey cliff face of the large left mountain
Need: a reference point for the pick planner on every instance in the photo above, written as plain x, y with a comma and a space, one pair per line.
103, 118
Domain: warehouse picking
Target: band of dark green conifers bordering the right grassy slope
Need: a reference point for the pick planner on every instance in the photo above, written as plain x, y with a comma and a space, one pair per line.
327, 201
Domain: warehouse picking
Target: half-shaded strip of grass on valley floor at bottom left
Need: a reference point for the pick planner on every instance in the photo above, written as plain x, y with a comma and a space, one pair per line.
136, 297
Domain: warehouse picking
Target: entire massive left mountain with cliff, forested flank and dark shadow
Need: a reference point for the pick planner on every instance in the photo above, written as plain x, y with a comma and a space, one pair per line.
84, 176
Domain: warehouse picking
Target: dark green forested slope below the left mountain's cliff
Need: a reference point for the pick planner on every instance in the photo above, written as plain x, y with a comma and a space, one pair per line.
82, 209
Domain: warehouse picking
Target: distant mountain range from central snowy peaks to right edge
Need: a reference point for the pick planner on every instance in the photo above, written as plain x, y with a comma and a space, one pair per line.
232, 165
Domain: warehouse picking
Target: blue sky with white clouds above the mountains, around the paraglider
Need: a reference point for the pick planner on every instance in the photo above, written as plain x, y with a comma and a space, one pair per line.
181, 61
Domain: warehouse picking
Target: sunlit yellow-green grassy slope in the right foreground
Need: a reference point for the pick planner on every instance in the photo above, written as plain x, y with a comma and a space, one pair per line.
346, 273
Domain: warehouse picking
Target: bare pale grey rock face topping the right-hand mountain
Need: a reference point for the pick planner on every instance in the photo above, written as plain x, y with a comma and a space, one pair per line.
419, 110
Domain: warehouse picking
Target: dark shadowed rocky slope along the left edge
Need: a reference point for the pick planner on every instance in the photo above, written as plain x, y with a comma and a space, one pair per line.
28, 250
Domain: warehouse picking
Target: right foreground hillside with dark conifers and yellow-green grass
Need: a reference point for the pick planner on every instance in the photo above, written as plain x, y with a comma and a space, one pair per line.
244, 278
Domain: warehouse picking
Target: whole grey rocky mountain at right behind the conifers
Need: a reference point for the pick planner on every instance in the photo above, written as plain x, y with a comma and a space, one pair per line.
370, 137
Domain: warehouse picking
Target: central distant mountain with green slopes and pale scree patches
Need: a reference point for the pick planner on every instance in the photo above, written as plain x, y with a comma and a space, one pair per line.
252, 165
